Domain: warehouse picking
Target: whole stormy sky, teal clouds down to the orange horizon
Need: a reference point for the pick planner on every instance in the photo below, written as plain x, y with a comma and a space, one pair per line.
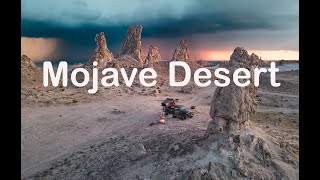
65, 30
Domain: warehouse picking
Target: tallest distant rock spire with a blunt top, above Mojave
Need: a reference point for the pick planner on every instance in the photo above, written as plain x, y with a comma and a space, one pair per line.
132, 44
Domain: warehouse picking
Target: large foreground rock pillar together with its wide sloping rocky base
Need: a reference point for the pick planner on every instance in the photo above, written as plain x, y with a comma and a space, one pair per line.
243, 151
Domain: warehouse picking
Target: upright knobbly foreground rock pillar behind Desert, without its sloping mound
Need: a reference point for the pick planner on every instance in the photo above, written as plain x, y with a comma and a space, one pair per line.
232, 106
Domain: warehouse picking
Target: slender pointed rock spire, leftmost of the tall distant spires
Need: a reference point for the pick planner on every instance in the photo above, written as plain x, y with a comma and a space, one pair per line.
101, 54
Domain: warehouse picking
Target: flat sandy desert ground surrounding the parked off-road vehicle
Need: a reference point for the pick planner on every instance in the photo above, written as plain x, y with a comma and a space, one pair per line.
115, 134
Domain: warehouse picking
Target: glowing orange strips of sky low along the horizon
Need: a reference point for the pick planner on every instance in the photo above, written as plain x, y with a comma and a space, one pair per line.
39, 49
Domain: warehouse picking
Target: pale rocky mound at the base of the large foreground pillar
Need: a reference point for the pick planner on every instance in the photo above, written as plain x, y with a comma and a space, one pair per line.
242, 155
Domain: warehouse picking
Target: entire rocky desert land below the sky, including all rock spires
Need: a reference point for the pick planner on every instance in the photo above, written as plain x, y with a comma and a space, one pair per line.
236, 133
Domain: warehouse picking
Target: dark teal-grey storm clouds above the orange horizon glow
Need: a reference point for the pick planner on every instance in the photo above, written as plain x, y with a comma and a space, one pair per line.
77, 22
